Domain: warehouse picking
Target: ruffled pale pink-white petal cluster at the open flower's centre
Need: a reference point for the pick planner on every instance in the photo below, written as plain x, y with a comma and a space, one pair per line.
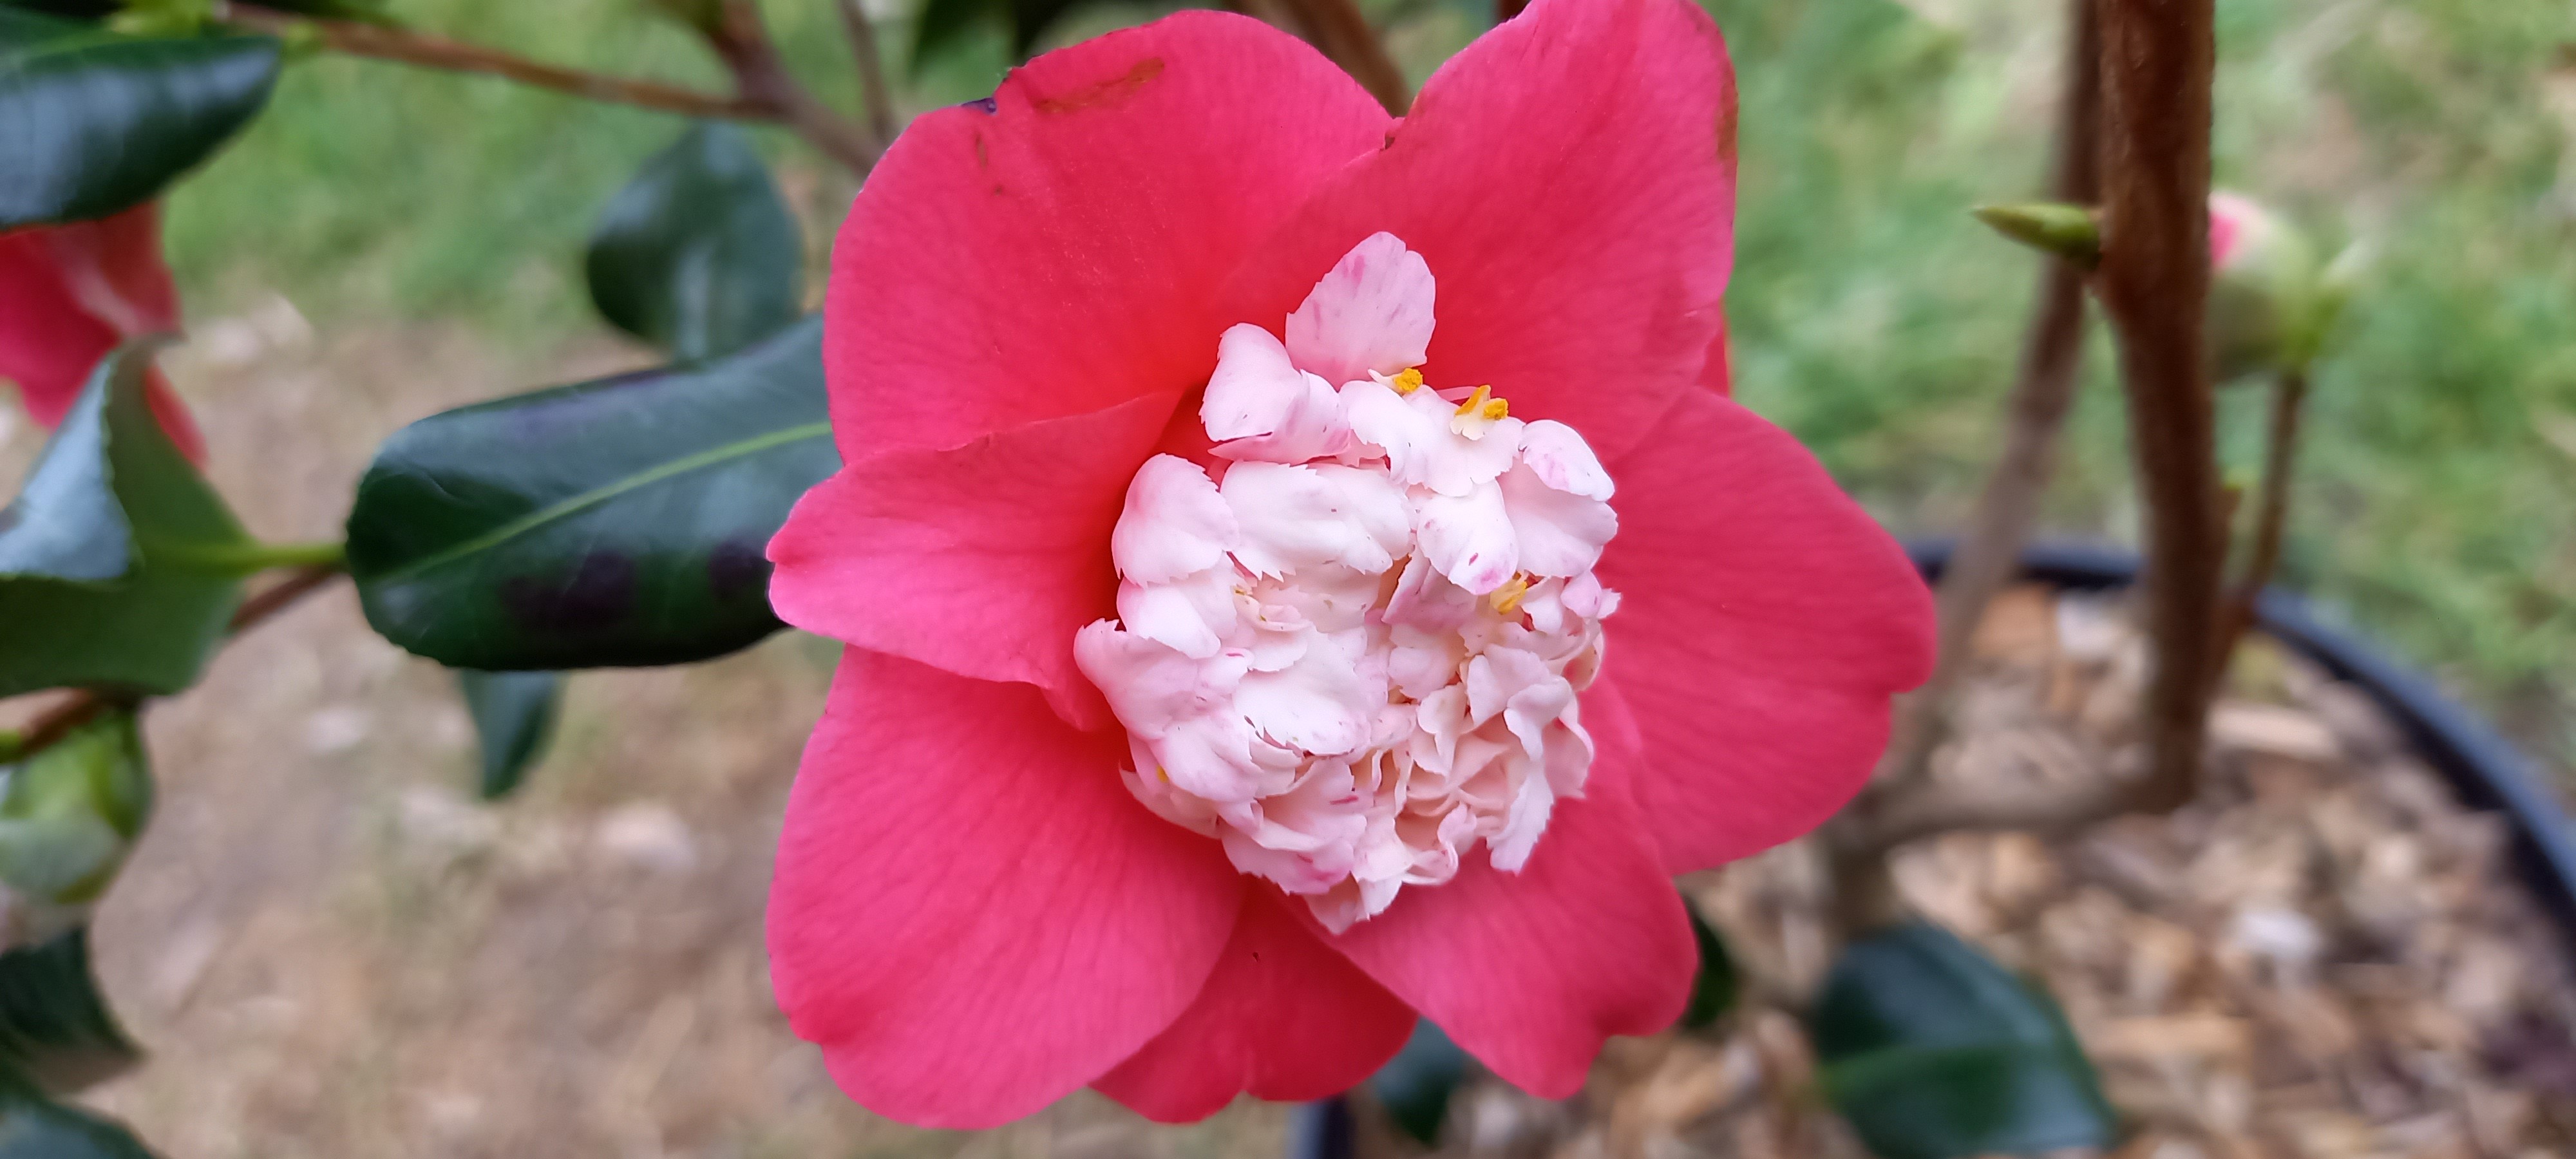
1354, 653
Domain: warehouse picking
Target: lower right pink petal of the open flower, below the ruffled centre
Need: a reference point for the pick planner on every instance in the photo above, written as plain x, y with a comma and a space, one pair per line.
1534, 970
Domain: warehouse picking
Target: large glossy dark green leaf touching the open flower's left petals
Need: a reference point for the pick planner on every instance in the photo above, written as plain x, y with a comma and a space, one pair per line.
617, 522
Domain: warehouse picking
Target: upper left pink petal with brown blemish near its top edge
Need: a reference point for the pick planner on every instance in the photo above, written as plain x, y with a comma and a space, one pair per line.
1060, 249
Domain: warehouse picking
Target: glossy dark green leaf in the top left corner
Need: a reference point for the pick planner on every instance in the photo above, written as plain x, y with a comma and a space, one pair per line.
94, 122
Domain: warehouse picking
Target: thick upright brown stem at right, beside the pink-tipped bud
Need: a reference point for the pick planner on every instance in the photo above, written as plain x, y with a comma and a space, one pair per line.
2155, 285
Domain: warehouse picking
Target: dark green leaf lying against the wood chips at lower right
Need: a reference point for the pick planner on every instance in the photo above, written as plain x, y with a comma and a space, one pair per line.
1936, 1052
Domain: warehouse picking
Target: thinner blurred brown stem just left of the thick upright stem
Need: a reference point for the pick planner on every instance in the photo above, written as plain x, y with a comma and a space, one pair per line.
2036, 411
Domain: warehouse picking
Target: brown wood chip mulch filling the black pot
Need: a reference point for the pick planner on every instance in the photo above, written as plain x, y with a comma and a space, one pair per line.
2325, 957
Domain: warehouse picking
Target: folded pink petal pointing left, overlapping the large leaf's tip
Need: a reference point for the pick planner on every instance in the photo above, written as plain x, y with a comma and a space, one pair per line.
983, 560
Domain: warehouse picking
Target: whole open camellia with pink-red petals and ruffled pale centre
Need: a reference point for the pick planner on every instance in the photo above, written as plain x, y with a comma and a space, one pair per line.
1302, 570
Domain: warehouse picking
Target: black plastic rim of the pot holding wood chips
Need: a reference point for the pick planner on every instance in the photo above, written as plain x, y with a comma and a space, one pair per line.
2474, 759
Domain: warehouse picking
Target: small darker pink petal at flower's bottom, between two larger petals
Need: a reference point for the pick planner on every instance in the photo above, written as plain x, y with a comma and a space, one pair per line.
1282, 1019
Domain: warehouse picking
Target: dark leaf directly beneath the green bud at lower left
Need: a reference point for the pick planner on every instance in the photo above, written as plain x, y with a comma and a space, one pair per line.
55, 1024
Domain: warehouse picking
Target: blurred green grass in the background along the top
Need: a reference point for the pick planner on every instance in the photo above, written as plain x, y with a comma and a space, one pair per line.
1871, 316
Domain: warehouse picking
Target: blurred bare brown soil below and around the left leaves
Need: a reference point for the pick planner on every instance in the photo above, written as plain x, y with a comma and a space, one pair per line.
331, 949
